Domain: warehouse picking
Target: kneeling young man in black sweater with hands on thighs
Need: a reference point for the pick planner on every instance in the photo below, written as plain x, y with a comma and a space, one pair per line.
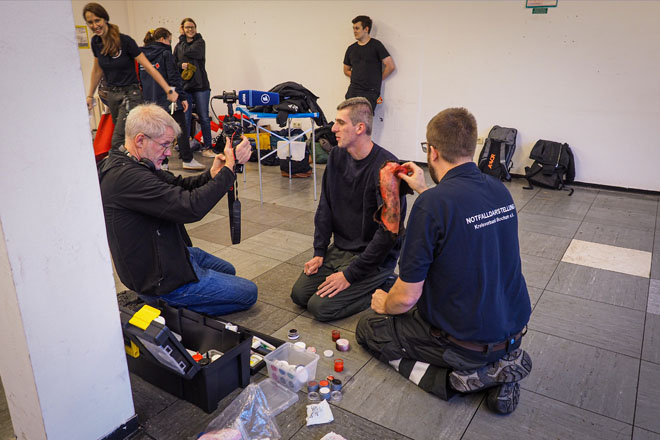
339, 279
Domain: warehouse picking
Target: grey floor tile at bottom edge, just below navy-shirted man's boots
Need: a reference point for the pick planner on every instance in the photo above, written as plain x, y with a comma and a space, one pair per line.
379, 394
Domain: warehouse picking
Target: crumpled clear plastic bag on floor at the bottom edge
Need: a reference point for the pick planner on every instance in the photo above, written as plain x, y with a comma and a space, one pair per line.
247, 415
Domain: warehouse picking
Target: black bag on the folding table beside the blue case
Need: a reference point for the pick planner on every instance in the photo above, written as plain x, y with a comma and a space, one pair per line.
294, 98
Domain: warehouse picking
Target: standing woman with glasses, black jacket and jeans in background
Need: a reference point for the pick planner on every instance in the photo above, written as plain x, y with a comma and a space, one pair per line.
190, 56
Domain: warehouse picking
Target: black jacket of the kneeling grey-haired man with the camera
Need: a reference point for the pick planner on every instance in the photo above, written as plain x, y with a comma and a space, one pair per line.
144, 215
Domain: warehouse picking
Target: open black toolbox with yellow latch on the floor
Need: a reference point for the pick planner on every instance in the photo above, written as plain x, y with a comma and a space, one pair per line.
156, 355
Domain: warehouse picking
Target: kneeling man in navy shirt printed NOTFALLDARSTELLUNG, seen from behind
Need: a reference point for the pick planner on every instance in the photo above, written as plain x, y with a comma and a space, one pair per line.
454, 320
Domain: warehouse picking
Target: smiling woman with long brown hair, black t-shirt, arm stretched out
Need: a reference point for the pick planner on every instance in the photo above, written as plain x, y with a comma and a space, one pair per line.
114, 56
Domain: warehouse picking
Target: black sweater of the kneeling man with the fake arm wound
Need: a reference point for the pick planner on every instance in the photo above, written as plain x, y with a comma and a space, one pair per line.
349, 198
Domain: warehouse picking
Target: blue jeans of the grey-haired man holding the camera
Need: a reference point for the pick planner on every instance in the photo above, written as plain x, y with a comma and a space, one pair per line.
218, 292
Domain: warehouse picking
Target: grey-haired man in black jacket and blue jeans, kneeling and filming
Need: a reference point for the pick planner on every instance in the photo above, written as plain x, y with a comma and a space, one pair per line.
145, 211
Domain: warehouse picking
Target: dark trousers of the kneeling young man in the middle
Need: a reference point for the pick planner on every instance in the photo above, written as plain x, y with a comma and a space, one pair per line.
352, 300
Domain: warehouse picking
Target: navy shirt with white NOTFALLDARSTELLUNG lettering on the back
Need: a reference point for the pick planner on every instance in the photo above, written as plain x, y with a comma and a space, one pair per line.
462, 239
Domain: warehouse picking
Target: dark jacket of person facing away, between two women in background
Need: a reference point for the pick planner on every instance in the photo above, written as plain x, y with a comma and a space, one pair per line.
160, 56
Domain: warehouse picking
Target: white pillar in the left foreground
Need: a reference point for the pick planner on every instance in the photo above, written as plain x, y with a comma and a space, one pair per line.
62, 365
